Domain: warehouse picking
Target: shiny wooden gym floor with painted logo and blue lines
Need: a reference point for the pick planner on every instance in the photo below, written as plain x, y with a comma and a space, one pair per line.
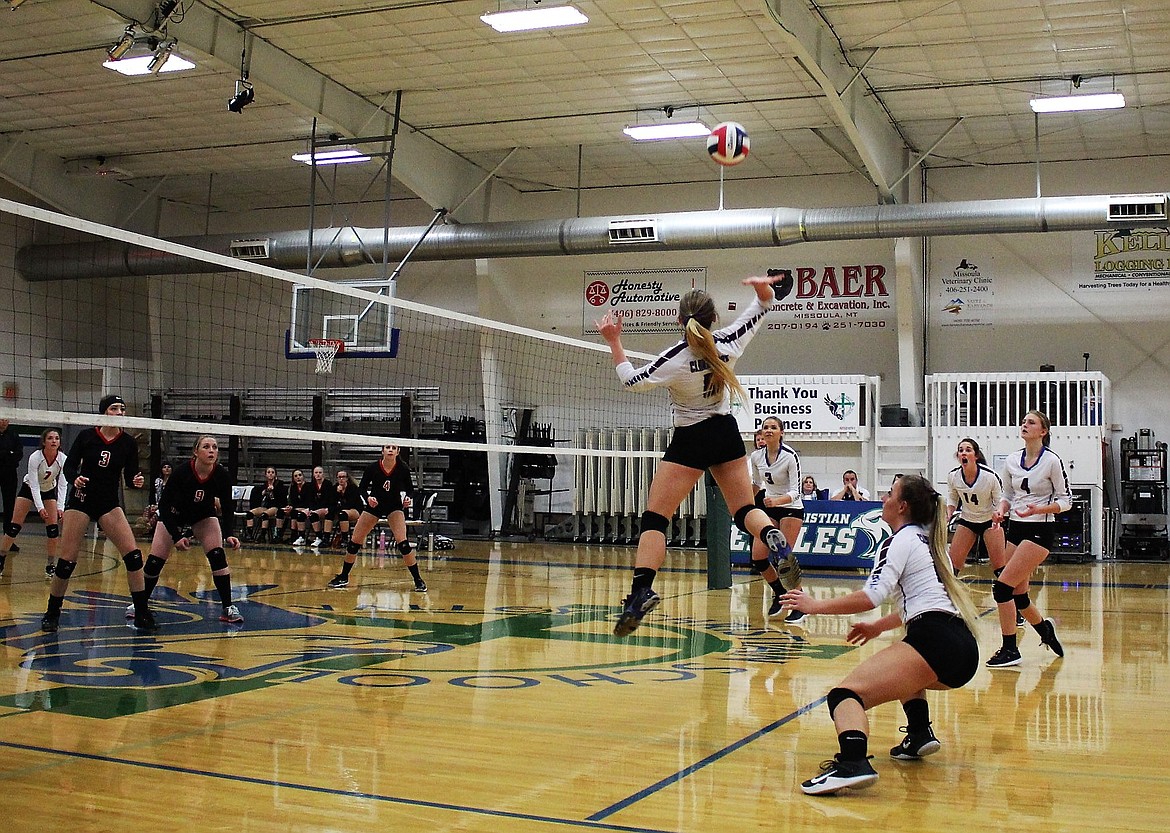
500, 701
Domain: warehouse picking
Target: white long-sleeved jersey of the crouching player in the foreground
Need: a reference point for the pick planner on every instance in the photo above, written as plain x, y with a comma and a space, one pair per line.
904, 567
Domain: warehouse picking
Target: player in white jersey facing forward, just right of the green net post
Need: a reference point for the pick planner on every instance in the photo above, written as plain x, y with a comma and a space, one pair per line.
776, 478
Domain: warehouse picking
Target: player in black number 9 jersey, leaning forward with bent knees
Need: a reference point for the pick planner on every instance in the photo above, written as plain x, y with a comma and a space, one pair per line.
190, 500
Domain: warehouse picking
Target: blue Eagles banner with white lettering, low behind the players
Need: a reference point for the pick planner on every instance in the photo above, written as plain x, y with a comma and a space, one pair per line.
836, 534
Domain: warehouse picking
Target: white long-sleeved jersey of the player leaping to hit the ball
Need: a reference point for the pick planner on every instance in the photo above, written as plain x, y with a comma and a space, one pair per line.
687, 377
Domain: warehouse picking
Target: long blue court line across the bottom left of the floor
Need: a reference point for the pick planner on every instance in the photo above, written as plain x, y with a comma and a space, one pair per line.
589, 824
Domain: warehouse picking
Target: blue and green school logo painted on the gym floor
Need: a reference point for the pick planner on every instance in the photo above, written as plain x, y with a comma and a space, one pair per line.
98, 666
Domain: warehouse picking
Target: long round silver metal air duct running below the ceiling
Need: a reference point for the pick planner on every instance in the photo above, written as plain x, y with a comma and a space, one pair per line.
686, 231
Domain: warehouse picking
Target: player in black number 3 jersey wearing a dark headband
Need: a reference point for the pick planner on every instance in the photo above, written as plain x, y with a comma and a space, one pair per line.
95, 463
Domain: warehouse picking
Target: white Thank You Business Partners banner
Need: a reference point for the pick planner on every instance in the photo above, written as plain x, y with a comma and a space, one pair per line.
831, 408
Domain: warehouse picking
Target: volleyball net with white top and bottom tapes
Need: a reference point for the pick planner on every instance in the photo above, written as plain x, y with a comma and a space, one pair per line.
238, 349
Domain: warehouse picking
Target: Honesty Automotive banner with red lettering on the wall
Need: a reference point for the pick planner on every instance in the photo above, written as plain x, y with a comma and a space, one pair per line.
646, 299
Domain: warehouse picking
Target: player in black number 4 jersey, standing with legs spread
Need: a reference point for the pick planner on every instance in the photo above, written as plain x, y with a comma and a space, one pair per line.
383, 485
